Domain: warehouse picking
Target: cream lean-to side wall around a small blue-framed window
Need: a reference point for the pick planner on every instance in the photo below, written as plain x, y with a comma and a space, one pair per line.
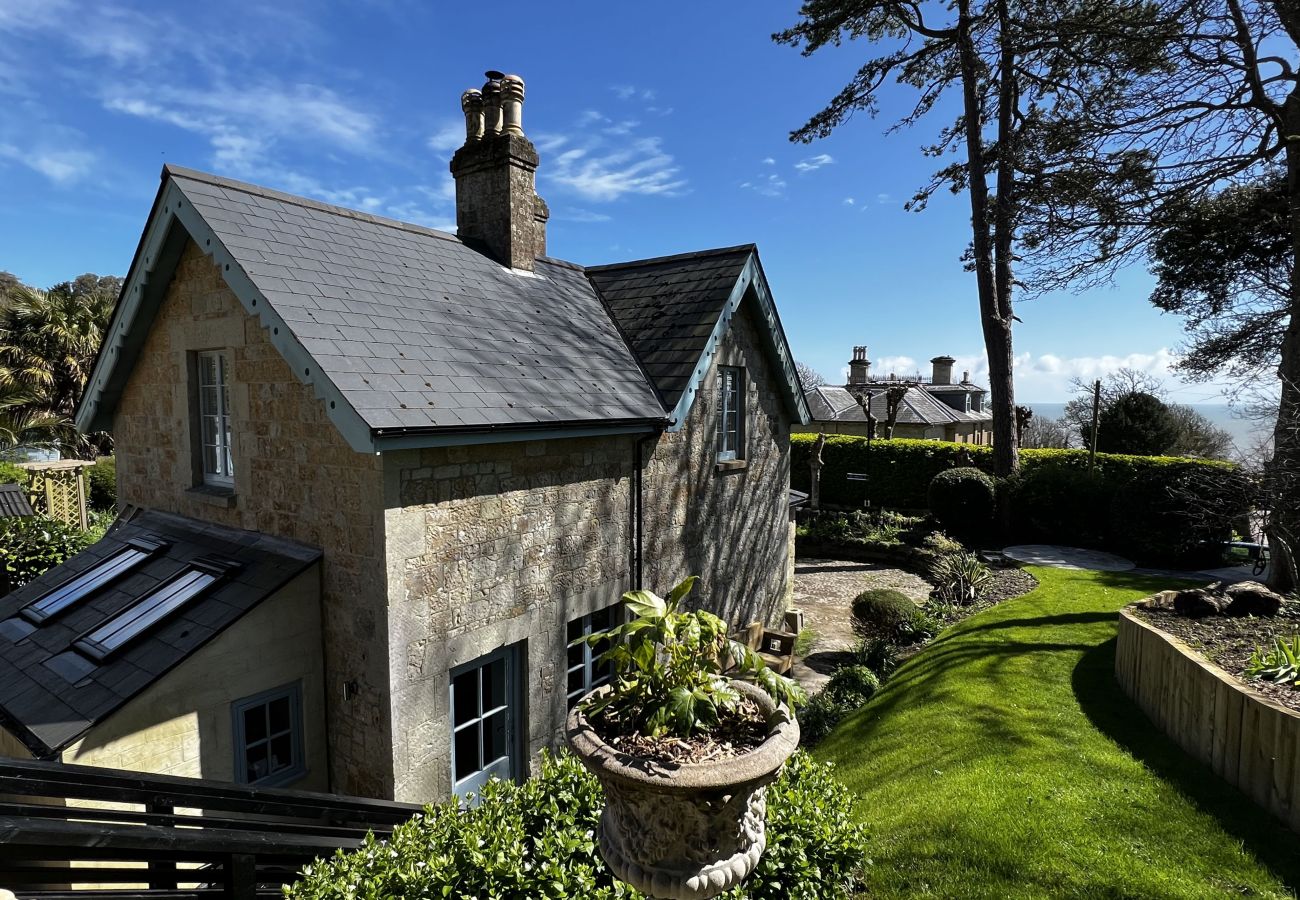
183, 725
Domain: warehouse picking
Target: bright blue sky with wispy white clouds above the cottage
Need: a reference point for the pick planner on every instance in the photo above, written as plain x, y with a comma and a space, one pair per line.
662, 128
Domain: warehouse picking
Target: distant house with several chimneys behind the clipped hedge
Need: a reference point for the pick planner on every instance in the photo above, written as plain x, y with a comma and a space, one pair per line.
935, 409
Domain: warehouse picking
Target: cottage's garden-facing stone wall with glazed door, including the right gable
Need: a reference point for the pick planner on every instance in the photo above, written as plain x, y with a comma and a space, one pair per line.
505, 544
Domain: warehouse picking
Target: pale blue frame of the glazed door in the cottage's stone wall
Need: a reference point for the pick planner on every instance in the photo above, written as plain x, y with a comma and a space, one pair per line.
509, 767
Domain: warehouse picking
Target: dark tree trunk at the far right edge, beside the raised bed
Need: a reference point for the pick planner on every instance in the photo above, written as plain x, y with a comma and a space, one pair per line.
1285, 468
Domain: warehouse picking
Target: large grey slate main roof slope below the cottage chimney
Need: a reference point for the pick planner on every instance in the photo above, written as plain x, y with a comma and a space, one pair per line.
417, 328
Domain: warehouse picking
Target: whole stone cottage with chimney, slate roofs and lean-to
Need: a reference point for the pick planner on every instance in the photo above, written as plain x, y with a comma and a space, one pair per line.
376, 478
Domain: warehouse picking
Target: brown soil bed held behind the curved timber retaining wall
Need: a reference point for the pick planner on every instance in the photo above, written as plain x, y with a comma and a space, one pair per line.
1229, 643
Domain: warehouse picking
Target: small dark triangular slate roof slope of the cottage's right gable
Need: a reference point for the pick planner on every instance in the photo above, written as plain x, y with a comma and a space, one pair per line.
669, 308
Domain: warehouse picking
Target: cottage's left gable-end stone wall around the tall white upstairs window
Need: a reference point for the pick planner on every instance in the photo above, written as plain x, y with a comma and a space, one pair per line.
294, 477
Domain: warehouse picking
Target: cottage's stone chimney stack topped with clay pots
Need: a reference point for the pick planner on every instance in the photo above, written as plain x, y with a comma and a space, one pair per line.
496, 174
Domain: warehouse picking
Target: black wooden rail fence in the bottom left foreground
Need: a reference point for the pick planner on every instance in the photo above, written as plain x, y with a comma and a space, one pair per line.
81, 832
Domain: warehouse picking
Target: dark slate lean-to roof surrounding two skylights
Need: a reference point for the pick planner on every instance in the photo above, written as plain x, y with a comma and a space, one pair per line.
51, 694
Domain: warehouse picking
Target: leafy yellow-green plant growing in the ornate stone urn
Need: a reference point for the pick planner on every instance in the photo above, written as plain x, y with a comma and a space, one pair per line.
668, 668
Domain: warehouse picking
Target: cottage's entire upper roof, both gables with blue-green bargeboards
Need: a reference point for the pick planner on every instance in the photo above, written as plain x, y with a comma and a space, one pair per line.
410, 332
